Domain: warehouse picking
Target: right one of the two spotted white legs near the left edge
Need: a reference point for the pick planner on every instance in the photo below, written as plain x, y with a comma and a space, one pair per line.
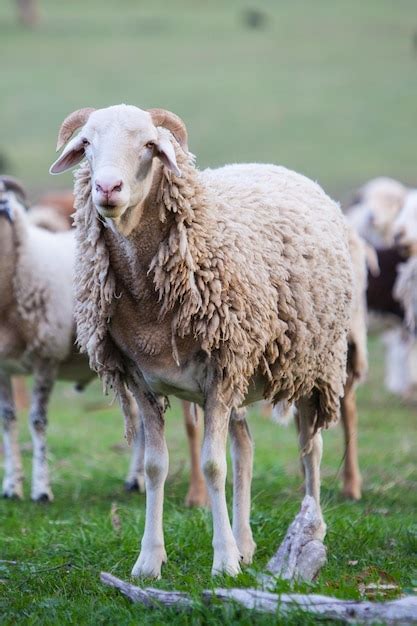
44, 375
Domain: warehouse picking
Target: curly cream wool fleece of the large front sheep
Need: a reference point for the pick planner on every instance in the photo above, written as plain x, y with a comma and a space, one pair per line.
260, 295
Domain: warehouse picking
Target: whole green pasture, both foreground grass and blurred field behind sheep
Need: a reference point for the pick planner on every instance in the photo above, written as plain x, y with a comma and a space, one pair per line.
324, 88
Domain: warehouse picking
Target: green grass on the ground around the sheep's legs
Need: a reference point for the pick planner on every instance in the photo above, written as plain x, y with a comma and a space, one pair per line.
61, 548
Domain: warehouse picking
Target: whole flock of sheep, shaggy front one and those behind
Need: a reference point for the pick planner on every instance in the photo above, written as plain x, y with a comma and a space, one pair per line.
221, 287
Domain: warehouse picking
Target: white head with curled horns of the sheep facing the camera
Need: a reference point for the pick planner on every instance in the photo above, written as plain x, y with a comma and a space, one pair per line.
121, 144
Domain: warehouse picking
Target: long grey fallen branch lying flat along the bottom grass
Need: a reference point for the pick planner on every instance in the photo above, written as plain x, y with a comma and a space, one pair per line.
403, 611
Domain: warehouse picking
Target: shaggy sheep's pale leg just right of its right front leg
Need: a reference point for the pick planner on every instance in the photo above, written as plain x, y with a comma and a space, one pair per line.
242, 458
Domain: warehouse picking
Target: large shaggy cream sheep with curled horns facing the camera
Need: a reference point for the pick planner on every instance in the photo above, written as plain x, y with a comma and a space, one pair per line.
221, 287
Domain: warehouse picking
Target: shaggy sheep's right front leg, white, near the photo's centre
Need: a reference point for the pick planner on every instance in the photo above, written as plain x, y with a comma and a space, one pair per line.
216, 421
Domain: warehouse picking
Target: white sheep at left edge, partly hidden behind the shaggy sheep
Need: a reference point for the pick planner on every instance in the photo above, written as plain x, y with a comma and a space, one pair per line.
37, 333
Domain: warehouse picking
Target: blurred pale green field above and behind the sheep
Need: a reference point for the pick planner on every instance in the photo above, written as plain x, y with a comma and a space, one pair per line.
326, 88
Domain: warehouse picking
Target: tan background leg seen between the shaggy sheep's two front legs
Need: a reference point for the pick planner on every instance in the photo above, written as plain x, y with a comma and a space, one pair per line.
197, 492
